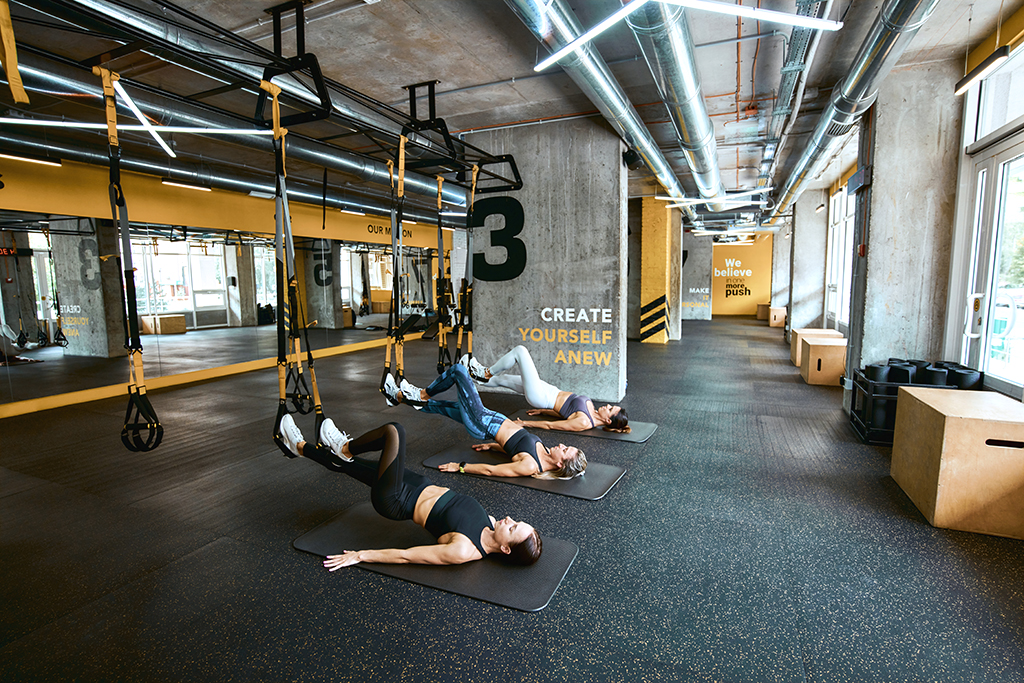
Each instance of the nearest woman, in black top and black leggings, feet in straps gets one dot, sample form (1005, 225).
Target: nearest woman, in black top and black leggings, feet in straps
(463, 529)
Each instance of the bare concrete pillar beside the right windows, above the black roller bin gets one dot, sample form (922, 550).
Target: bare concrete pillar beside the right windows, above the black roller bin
(914, 188)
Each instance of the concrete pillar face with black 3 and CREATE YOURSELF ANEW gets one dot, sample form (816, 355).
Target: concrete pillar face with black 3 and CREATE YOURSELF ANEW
(575, 234)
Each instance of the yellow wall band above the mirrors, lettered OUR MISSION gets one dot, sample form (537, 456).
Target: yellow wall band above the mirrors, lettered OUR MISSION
(80, 190)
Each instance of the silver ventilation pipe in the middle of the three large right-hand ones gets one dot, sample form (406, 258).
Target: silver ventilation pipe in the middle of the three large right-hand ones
(665, 40)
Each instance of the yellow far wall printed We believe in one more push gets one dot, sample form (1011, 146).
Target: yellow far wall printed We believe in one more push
(742, 277)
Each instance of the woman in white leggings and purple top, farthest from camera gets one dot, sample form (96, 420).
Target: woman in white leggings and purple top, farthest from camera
(578, 413)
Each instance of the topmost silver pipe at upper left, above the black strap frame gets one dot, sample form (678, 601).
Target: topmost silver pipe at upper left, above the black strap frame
(237, 63)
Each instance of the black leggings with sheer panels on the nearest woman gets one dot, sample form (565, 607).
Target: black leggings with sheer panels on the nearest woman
(393, 491)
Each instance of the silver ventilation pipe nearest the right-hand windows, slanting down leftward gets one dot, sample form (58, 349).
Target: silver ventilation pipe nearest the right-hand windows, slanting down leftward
(898, 24)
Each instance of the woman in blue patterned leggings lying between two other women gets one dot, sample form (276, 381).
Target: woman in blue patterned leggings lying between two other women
(530, 456)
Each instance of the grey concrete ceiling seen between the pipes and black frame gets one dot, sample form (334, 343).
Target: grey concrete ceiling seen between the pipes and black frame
(483, 58)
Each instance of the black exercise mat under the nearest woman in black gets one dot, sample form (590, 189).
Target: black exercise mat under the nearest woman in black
(526, 588)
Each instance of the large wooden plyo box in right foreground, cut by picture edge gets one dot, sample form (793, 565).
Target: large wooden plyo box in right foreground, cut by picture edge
(960, 457)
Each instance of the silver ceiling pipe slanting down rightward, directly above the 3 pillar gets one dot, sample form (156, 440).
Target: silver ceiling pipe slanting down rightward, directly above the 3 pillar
(557, 26)
